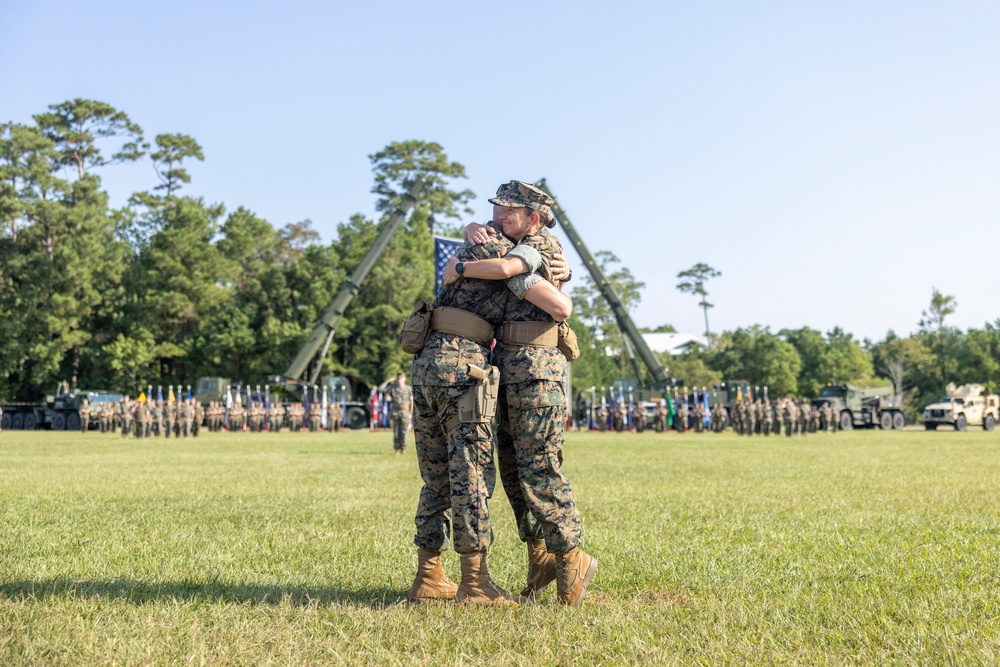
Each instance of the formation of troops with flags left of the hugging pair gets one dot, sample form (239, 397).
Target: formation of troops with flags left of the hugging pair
(184, 418)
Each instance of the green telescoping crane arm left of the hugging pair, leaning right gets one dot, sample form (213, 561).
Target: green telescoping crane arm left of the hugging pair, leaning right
(322, 334)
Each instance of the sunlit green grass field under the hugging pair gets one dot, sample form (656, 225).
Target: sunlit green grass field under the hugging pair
(856, 548)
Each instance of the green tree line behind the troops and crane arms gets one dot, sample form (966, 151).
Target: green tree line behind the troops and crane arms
(171, 287)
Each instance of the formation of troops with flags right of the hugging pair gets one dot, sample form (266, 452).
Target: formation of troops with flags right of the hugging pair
(758, 417)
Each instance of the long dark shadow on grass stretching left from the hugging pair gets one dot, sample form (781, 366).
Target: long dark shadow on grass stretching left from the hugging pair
(142, 592)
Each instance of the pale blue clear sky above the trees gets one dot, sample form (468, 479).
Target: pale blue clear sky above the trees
(836, 161)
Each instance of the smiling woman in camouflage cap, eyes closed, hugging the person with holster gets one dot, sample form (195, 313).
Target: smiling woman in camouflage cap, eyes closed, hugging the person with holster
(532, 409)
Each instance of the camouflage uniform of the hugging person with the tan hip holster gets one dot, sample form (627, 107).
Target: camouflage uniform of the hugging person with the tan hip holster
(456, 464)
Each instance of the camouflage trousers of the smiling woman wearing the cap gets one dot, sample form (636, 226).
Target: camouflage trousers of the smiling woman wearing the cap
(532, 421)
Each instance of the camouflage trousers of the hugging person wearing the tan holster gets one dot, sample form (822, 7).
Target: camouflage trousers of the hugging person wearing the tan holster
(458, 473)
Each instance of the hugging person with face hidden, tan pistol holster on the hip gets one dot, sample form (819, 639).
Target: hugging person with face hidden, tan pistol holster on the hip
(454, 394)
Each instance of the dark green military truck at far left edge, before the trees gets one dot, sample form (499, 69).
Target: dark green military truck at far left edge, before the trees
(59, 411)
